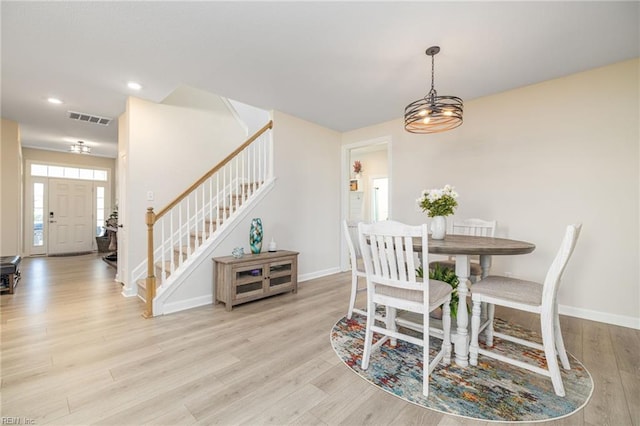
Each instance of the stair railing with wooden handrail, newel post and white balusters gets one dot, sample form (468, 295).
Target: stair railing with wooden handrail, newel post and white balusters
(191, 218)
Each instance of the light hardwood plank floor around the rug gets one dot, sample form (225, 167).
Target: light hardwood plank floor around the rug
(75, 352)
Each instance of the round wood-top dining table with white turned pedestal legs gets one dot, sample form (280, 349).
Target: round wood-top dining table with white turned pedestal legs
(463, 247)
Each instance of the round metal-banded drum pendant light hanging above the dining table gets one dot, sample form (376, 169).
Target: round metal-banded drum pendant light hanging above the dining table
(433, 113)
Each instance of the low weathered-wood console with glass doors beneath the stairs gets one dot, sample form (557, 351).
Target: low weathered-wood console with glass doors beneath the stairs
(254, 276)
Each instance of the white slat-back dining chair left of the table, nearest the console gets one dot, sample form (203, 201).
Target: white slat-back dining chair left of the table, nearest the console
(392, 282)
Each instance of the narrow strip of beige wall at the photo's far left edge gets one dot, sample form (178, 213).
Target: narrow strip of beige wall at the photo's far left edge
(10, 190)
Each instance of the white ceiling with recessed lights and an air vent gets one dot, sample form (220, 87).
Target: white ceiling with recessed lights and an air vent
(342, 65)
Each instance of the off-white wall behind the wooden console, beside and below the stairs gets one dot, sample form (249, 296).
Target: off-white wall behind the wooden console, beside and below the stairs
(302, 211)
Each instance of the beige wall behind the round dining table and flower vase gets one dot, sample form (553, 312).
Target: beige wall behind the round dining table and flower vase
(536, 159)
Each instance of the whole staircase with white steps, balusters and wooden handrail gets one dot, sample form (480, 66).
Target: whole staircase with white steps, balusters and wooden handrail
(184, 233)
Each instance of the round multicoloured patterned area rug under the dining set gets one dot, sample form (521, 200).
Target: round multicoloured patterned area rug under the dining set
(491, 391)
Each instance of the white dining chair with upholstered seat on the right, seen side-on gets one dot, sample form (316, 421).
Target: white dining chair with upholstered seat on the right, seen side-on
(530, 297)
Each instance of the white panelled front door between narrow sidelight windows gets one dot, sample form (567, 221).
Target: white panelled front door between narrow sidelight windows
(70, 216)
